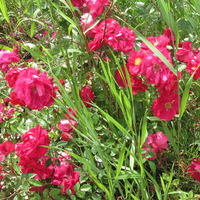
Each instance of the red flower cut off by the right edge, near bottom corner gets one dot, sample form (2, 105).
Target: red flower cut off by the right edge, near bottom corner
(194, 169)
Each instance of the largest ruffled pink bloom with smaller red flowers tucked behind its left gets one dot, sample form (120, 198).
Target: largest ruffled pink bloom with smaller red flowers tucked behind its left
(30, 87)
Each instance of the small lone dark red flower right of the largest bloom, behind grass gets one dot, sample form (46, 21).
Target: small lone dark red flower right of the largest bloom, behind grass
(87, 96)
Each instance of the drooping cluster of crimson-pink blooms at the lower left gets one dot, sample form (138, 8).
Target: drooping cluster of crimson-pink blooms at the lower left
(32, 153)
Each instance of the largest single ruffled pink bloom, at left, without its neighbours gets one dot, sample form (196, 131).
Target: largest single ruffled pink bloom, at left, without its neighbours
(35, 89)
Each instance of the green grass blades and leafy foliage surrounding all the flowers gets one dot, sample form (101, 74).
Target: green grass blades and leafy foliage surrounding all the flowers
(107, 144)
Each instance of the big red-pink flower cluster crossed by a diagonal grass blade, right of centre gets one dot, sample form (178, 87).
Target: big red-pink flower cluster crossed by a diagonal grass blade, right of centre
(145, 63)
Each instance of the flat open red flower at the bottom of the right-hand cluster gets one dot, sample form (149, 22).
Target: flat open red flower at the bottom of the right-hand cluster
(166, 106)
